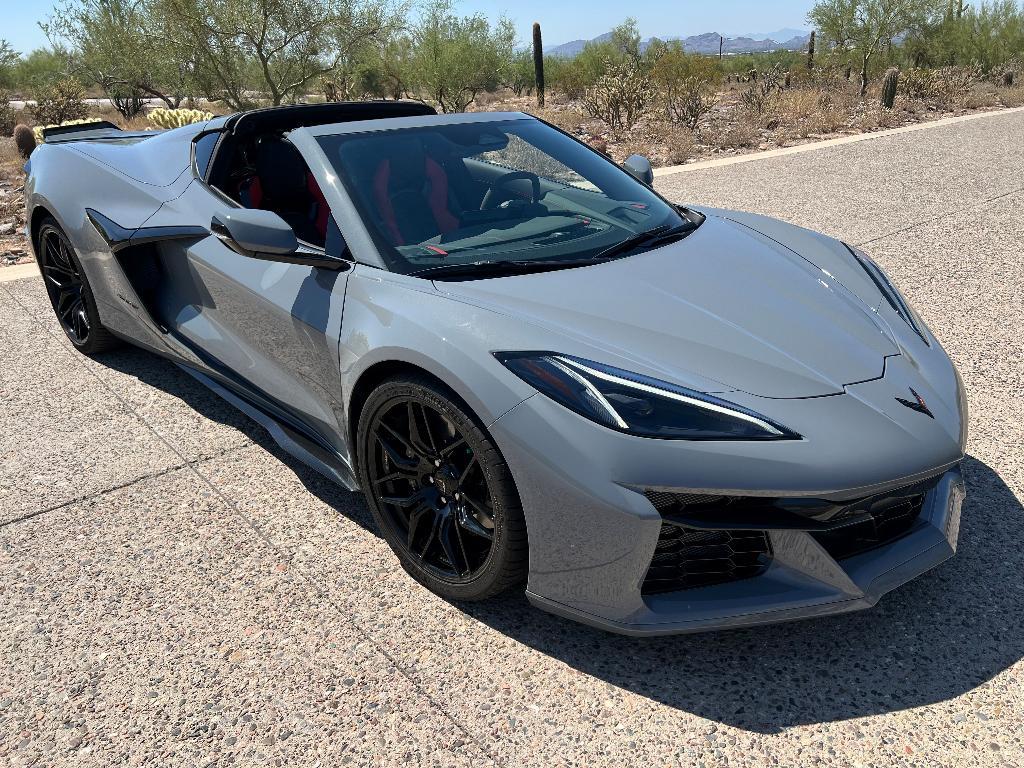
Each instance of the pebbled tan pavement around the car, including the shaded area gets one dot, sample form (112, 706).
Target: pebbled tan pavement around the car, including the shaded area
(176, 590)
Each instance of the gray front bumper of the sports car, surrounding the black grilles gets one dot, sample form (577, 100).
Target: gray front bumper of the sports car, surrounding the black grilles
(593, 533)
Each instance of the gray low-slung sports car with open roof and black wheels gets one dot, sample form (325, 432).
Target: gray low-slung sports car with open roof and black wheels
(661, 418)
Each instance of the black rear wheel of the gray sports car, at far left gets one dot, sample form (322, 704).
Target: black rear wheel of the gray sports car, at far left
(69, 291)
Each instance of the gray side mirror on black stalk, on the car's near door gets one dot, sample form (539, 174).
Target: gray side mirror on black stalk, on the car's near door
(264, 235)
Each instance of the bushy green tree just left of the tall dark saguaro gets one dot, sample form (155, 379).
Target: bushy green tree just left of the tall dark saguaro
(454, 59)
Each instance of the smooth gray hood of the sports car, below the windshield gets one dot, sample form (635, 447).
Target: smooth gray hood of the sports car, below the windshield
(727, 305)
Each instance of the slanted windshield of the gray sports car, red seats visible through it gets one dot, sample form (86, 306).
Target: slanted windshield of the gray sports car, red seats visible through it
(486, 195)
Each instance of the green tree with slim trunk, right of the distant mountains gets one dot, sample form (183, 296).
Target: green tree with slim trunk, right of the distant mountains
(865, 27)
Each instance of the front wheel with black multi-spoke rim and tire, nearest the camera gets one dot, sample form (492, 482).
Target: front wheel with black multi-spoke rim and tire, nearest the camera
(441, 491)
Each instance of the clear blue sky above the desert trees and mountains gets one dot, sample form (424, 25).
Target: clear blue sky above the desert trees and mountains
(562, 20)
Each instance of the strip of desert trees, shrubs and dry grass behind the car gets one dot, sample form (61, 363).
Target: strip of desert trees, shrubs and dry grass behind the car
(871, 65)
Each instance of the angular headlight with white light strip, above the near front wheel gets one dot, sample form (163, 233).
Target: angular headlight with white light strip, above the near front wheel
(637, 405)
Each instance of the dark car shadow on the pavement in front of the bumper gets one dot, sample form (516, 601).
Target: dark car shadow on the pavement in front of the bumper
(934, 639)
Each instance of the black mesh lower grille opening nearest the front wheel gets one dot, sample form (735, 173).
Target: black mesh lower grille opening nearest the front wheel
(689, 559)
